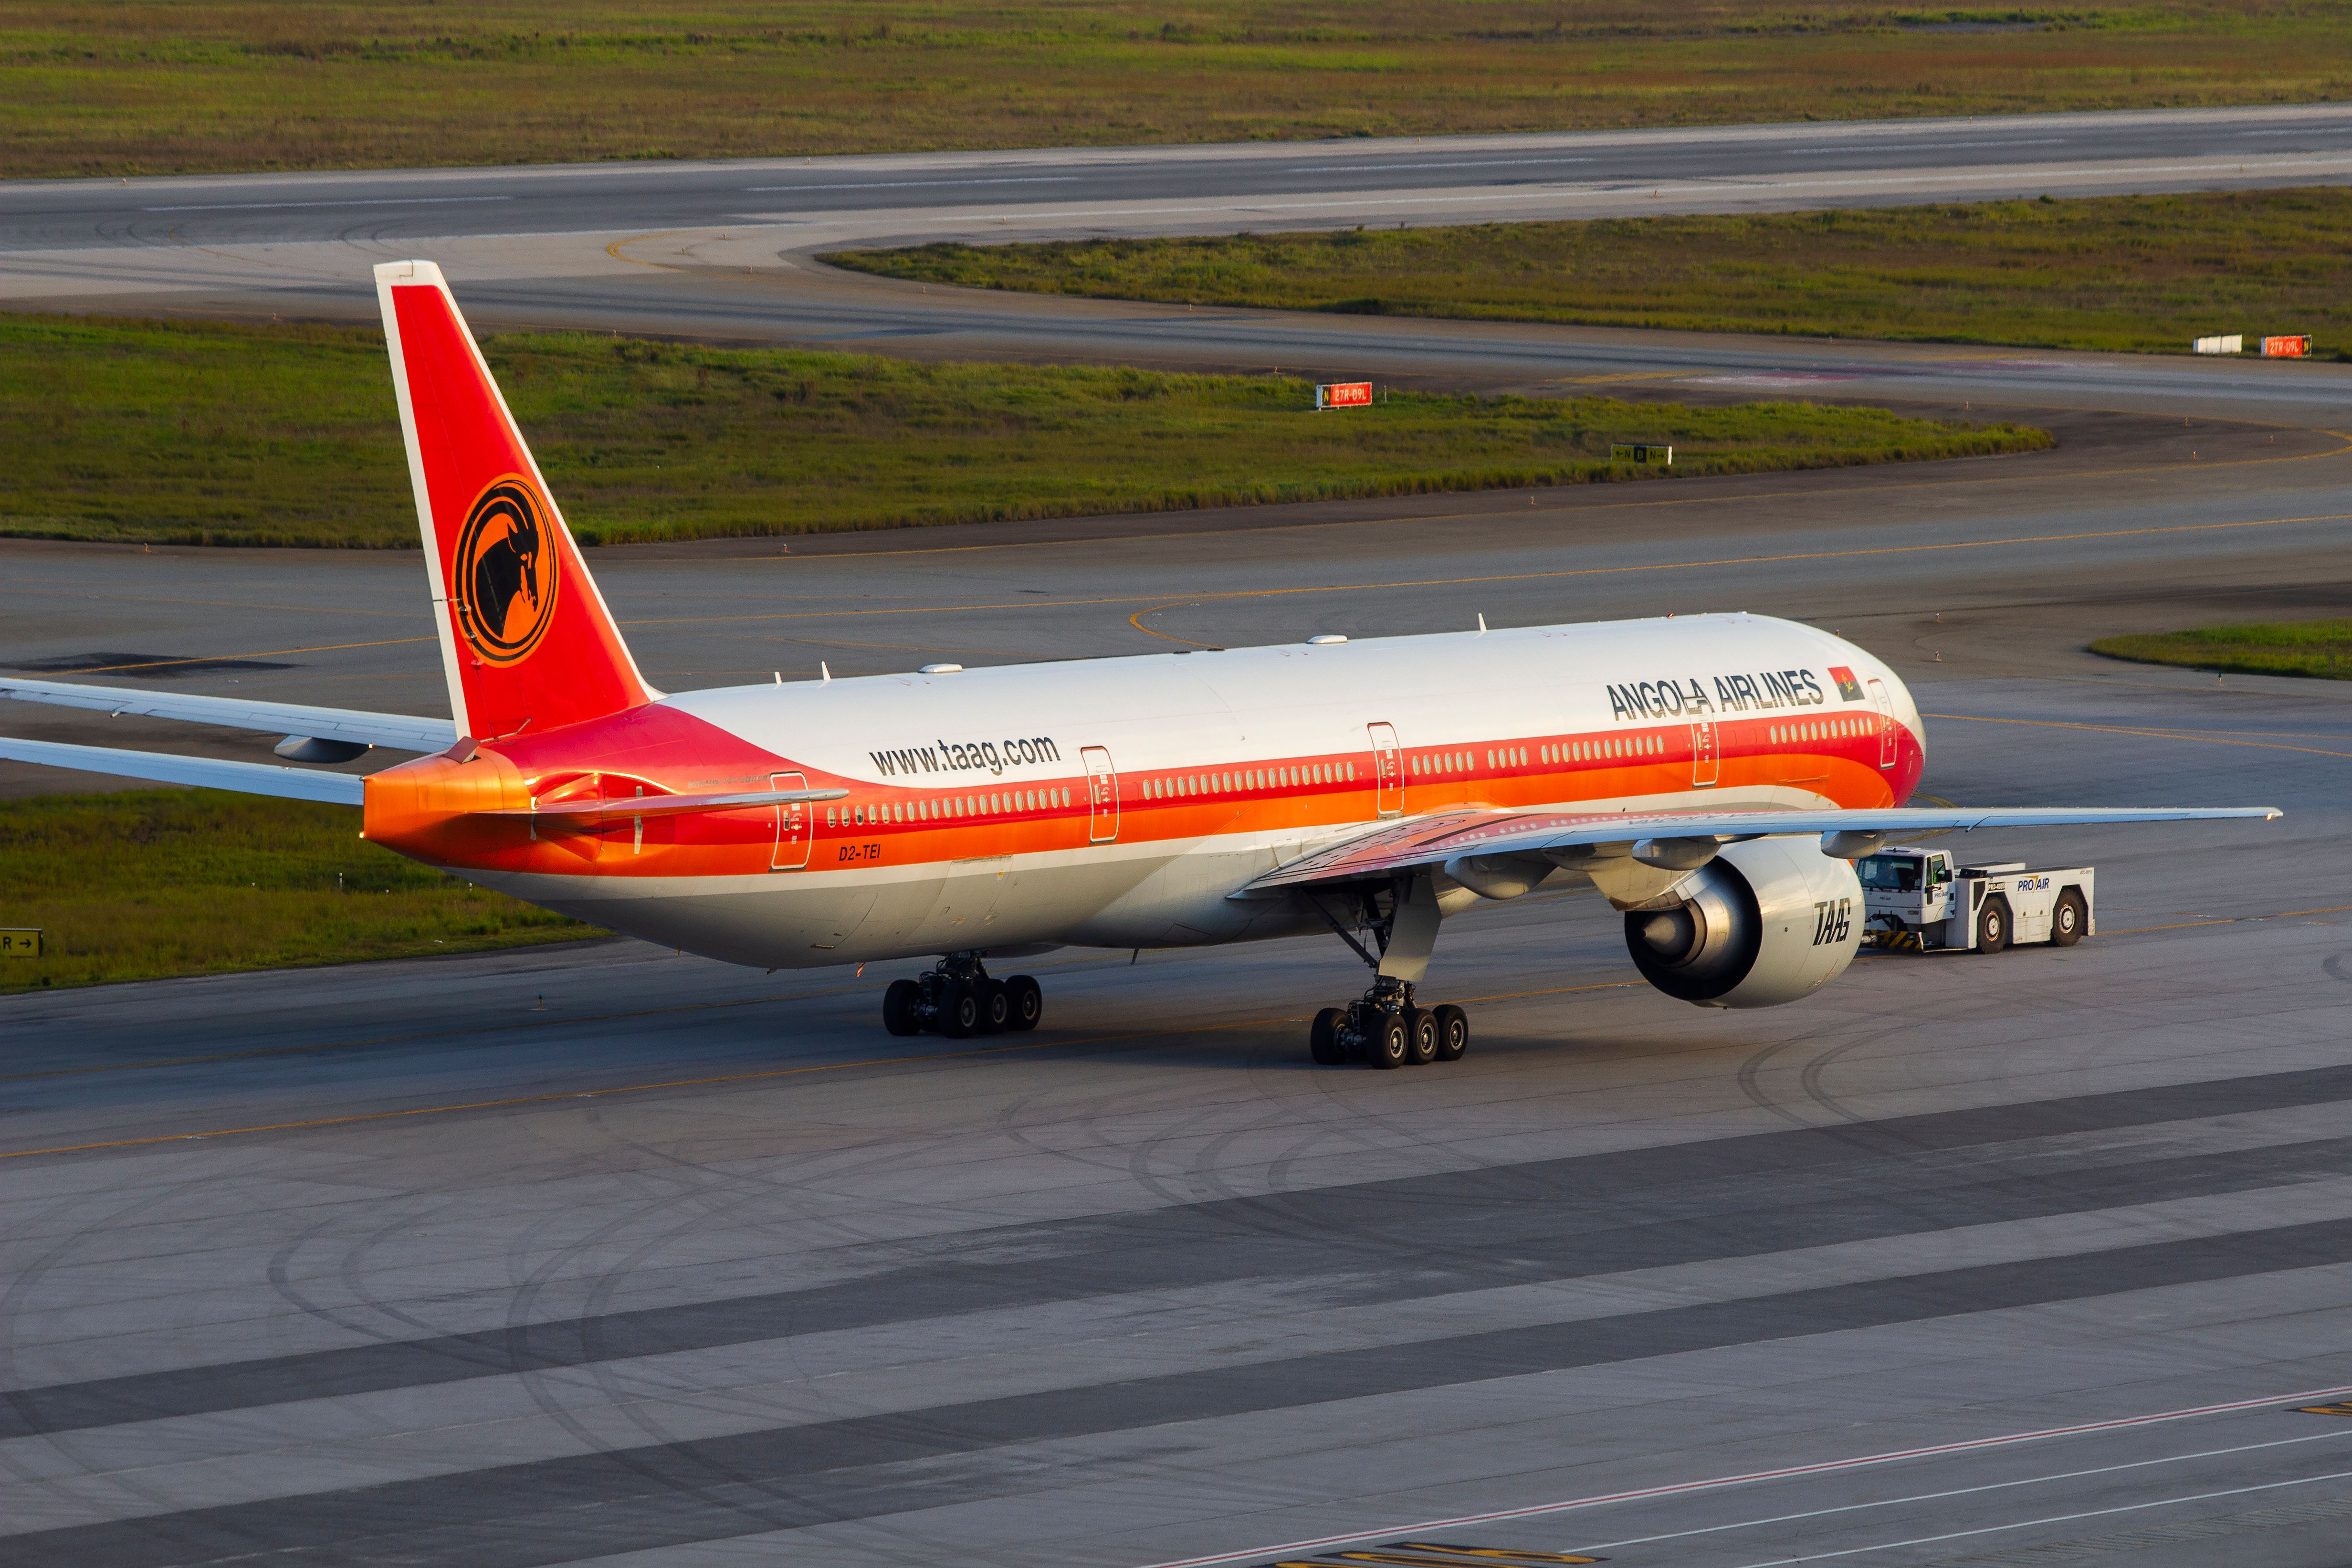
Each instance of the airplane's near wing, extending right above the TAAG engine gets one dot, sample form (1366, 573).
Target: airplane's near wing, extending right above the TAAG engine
(1434, 840)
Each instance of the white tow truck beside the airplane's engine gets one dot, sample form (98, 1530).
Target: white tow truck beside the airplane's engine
(1923, 902)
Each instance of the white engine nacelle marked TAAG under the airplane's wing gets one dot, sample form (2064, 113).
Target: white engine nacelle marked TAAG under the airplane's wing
(1763, 923)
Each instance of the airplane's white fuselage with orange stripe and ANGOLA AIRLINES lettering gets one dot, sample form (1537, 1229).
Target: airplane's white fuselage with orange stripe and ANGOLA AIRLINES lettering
(968, 819)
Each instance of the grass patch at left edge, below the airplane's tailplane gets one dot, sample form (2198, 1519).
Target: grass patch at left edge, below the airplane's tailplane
(178, 883)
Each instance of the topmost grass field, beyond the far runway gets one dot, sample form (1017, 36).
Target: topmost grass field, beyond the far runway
(185, 86)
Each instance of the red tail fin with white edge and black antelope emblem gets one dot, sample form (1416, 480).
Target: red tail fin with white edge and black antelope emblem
(526, 636)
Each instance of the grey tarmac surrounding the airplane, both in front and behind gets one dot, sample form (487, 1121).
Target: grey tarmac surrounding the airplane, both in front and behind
(603, 1254)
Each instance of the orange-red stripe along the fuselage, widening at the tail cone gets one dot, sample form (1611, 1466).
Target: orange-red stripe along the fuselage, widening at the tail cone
(427, 808)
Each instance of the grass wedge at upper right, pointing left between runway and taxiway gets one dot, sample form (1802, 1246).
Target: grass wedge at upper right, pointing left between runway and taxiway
(2130, 272)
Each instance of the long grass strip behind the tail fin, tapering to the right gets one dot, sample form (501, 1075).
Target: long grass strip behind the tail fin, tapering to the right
(286, 436)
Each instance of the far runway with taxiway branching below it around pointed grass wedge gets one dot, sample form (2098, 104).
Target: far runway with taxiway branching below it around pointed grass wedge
(723, 250)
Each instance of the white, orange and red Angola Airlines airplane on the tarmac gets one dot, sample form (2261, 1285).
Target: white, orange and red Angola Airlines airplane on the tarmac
(1713, 777)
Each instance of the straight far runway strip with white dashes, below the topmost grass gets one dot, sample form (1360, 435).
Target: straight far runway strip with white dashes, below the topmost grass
(2233, 147)
